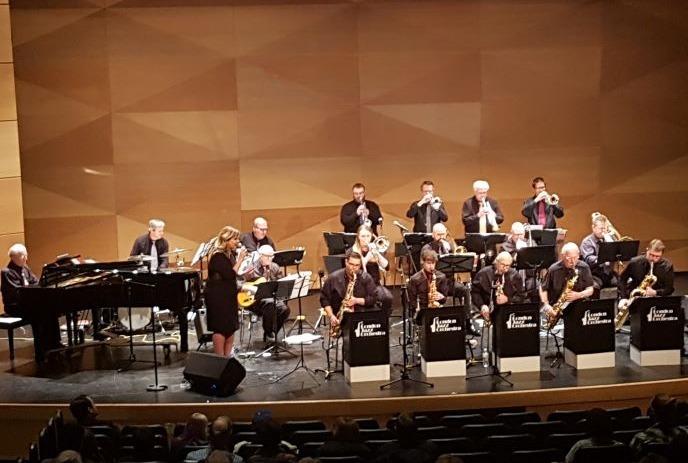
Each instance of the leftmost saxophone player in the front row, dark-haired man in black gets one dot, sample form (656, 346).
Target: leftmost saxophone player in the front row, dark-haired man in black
(332, 295)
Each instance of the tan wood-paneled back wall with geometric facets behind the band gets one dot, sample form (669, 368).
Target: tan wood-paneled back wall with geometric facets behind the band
(211, 112)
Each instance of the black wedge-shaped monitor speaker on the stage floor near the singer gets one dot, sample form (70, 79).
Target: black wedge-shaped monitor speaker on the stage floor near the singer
(212, 374)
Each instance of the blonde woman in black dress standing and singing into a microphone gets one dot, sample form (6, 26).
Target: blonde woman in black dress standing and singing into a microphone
(221, 290)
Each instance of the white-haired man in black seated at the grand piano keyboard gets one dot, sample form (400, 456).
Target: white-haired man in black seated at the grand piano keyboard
(46, 330)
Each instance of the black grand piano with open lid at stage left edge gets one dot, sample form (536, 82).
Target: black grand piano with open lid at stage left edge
(68, 286)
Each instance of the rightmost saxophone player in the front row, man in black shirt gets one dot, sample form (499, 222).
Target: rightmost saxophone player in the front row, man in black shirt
(640, 266)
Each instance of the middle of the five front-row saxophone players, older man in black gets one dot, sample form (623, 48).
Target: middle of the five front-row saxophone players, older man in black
(498, 283)
